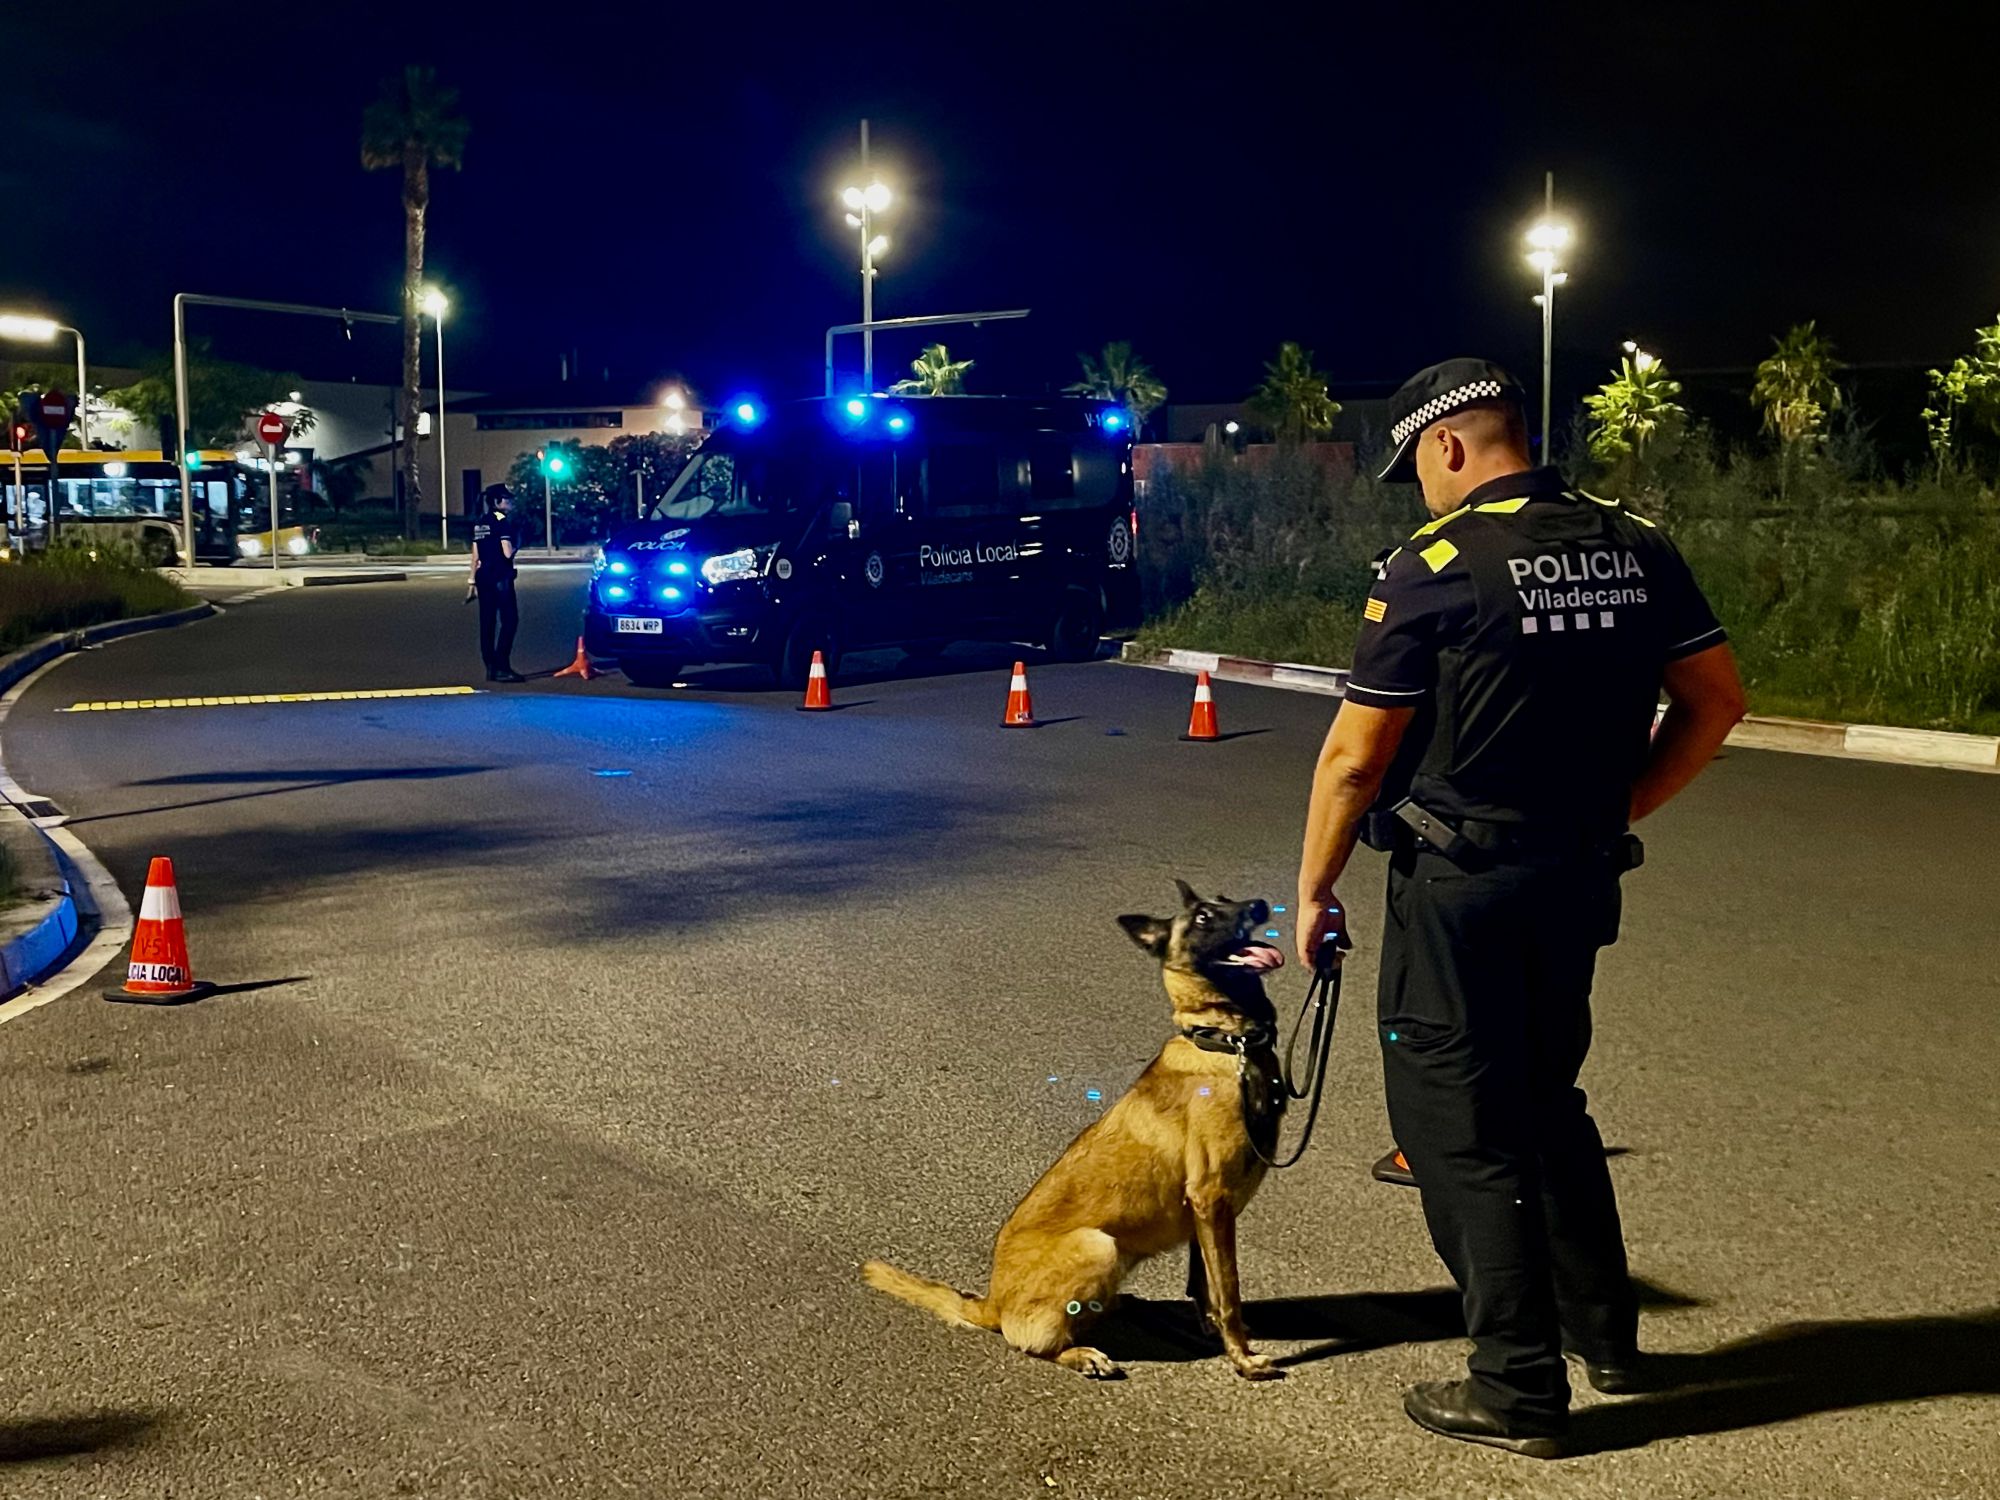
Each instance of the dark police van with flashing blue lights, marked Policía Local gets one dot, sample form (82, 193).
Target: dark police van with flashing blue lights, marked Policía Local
(877, 521)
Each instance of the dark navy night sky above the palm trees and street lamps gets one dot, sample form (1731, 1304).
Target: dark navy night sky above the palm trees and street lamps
(657, 185)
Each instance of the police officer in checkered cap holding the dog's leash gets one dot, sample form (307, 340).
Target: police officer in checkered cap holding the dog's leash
(1495, 739)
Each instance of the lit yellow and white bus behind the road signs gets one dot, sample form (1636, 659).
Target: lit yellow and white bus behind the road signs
(135, 497)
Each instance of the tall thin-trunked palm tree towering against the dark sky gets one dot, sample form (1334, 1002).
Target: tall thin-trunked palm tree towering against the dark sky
(413, 125)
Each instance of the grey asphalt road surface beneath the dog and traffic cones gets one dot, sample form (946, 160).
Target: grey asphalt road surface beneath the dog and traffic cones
(605, 1033)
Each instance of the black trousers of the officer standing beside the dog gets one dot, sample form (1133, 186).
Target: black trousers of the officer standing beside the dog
(1485, 1017)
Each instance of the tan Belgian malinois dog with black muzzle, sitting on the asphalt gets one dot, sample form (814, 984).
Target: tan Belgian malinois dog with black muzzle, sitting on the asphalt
(1169, 1163)
